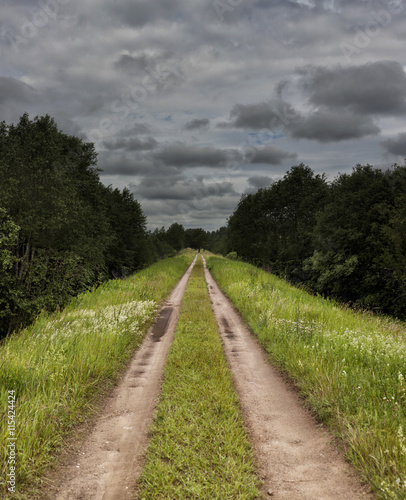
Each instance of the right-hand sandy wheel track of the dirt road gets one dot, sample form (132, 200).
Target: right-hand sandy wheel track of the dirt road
(296, 457)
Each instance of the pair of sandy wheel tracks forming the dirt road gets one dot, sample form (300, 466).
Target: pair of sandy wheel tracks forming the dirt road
(294, 455)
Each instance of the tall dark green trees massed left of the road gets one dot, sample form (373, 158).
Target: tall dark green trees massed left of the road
(61, 230)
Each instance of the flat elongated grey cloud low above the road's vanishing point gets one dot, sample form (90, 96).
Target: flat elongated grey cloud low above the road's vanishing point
(187, 155)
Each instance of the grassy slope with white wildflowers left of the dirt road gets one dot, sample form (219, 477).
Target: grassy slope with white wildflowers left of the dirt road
(57, 364)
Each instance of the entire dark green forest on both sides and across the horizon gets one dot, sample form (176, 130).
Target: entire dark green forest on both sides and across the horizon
(63, 232)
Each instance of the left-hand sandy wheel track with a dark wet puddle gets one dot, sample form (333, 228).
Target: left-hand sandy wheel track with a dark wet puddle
(111, 458)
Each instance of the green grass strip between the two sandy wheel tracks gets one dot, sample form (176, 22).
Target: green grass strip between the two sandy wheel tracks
(198, 448)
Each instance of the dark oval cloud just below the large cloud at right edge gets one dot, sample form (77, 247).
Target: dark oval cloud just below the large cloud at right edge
(327, 126)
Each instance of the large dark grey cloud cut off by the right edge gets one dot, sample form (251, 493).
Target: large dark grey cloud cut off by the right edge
(373, 88)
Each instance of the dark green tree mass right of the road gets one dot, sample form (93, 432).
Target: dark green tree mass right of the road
(345, 238)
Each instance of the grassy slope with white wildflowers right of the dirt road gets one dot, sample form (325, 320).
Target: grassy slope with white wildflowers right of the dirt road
(350, 366)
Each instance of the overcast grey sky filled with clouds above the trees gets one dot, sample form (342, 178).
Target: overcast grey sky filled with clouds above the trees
(192, 103)
